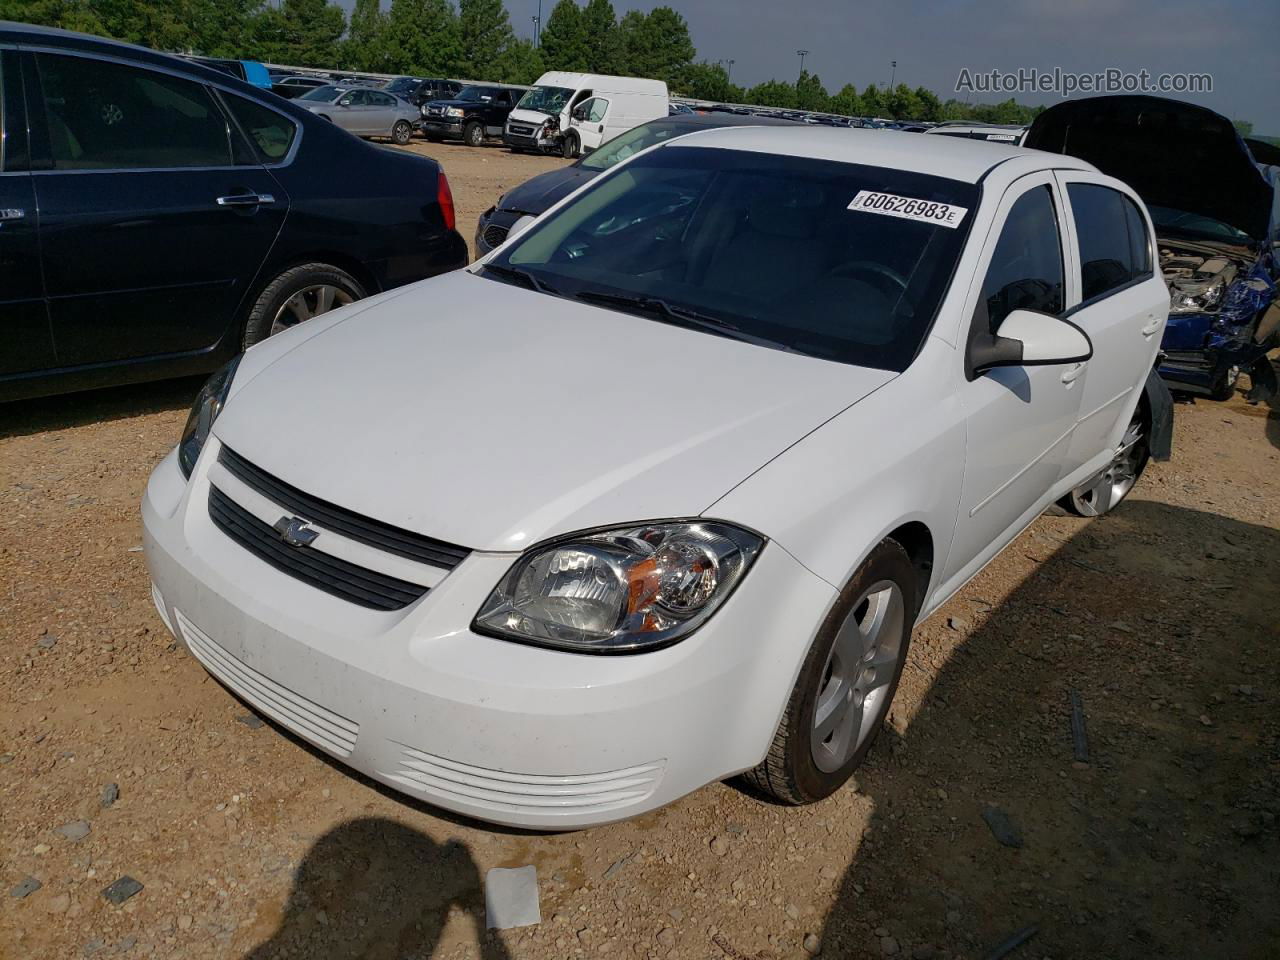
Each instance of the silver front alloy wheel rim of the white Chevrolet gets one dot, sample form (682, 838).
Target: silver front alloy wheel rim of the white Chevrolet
(856, 685)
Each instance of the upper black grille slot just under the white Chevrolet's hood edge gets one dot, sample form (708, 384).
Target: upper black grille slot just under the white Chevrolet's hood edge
(354, 527)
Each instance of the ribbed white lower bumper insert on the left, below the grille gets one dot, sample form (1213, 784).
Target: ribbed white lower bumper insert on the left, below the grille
(309, 720)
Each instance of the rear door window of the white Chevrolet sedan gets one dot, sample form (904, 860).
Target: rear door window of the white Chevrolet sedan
(1113, 236)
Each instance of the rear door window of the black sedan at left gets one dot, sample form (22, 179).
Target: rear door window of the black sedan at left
(107, 116)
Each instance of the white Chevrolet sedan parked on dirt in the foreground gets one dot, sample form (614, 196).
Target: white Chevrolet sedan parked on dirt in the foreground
(655, 495)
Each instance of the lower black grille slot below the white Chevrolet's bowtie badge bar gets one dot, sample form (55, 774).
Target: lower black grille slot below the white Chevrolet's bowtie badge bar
(321, 570)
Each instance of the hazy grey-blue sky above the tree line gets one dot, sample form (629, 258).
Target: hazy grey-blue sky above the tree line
(1235, 42)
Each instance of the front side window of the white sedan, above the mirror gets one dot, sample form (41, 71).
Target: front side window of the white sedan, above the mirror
(1026, 271)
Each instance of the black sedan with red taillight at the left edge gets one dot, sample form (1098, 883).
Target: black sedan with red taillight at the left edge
(158, 217)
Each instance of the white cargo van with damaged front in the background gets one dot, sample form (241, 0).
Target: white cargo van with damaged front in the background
(574, 113)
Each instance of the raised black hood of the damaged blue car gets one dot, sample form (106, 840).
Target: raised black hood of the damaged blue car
(1172, 153)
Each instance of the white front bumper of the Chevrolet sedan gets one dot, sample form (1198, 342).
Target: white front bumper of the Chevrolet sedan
(488, 729)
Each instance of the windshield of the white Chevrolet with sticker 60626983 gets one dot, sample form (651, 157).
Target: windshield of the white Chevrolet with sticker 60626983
(760, 248)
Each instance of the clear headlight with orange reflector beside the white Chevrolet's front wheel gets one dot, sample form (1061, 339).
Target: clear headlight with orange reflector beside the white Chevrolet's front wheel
(623, 591)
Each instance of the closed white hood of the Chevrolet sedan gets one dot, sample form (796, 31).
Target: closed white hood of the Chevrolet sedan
(492, 417)
